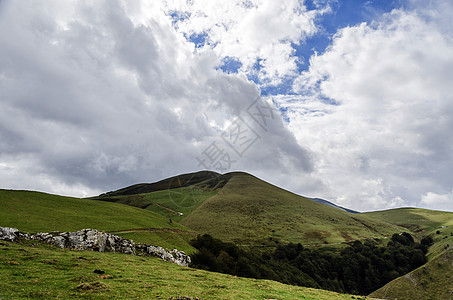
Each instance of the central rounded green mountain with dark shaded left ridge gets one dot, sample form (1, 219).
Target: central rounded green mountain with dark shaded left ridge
(244, 209)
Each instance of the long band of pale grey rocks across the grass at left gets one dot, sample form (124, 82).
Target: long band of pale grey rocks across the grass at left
(94, 240)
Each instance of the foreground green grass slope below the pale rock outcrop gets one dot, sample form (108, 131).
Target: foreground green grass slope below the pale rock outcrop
(47, 272)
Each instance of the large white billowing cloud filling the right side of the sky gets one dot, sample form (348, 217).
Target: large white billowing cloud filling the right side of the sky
(376, 108)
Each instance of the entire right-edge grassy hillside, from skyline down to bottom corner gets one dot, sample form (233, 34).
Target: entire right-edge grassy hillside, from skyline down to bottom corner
(434, 279)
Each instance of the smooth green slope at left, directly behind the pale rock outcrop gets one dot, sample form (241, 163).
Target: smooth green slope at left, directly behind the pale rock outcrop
(35, 212)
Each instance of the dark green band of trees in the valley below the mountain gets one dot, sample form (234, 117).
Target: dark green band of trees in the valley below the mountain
(360, 268)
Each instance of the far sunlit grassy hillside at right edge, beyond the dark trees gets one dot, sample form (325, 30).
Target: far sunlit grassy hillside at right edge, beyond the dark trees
(422, 222)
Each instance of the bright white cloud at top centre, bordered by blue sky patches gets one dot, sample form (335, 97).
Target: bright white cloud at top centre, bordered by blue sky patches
(250, 31)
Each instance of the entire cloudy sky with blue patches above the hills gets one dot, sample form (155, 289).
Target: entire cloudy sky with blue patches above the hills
(346, 100)
